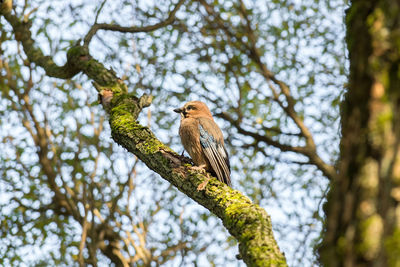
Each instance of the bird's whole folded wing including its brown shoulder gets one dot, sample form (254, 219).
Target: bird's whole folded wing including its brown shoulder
(211, 141)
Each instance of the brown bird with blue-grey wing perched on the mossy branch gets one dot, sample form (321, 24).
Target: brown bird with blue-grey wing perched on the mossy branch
(202, 139)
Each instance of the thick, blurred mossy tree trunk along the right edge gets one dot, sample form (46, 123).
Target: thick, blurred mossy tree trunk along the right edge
(363, 208)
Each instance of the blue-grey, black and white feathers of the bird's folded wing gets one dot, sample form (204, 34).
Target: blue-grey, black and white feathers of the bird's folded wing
(216, 155)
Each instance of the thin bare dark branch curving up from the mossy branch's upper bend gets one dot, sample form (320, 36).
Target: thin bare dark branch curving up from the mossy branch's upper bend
(119, 28)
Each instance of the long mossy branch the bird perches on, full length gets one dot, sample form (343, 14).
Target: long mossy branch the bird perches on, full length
(247, 222)
